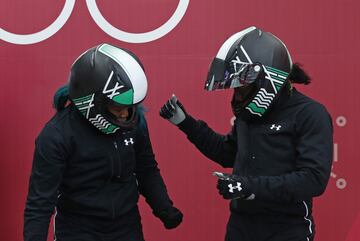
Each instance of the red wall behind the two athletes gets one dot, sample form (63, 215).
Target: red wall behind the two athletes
(323, 35)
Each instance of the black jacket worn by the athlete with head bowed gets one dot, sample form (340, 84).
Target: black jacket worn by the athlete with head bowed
(82, 171)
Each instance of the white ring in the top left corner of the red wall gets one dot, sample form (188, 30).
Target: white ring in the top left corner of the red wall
(43, 34)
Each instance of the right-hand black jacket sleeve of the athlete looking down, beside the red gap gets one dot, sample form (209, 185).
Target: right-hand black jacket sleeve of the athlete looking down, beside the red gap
(150, 182)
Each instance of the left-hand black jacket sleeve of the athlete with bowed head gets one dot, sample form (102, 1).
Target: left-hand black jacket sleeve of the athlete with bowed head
(46, 175)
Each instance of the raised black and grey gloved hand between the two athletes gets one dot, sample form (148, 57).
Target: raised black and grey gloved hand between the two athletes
(173, 111)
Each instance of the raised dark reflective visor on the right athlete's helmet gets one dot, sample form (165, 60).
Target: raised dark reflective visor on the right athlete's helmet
(225, 75)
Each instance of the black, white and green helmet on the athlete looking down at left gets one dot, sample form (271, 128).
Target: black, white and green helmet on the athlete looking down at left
(105, 76)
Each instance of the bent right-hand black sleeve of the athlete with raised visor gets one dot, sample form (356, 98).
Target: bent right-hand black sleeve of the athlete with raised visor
(314, 145)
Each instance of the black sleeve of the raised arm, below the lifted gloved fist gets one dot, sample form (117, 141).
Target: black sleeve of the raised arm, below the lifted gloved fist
(218, 148)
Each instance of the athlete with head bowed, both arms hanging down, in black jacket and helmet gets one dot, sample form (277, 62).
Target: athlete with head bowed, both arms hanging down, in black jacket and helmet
(94, 157)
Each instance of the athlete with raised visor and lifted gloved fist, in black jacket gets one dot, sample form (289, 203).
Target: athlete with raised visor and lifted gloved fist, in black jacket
(280, 147)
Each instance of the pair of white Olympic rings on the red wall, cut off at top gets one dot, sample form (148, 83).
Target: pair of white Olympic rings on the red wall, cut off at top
(101, 22)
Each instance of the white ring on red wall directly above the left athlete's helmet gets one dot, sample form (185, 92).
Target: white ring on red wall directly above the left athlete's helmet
(116, 33)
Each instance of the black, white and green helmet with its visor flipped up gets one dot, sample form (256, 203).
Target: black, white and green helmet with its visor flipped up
(255, 60)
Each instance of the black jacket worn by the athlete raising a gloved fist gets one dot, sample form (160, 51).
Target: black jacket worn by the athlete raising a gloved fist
(286, 155)
